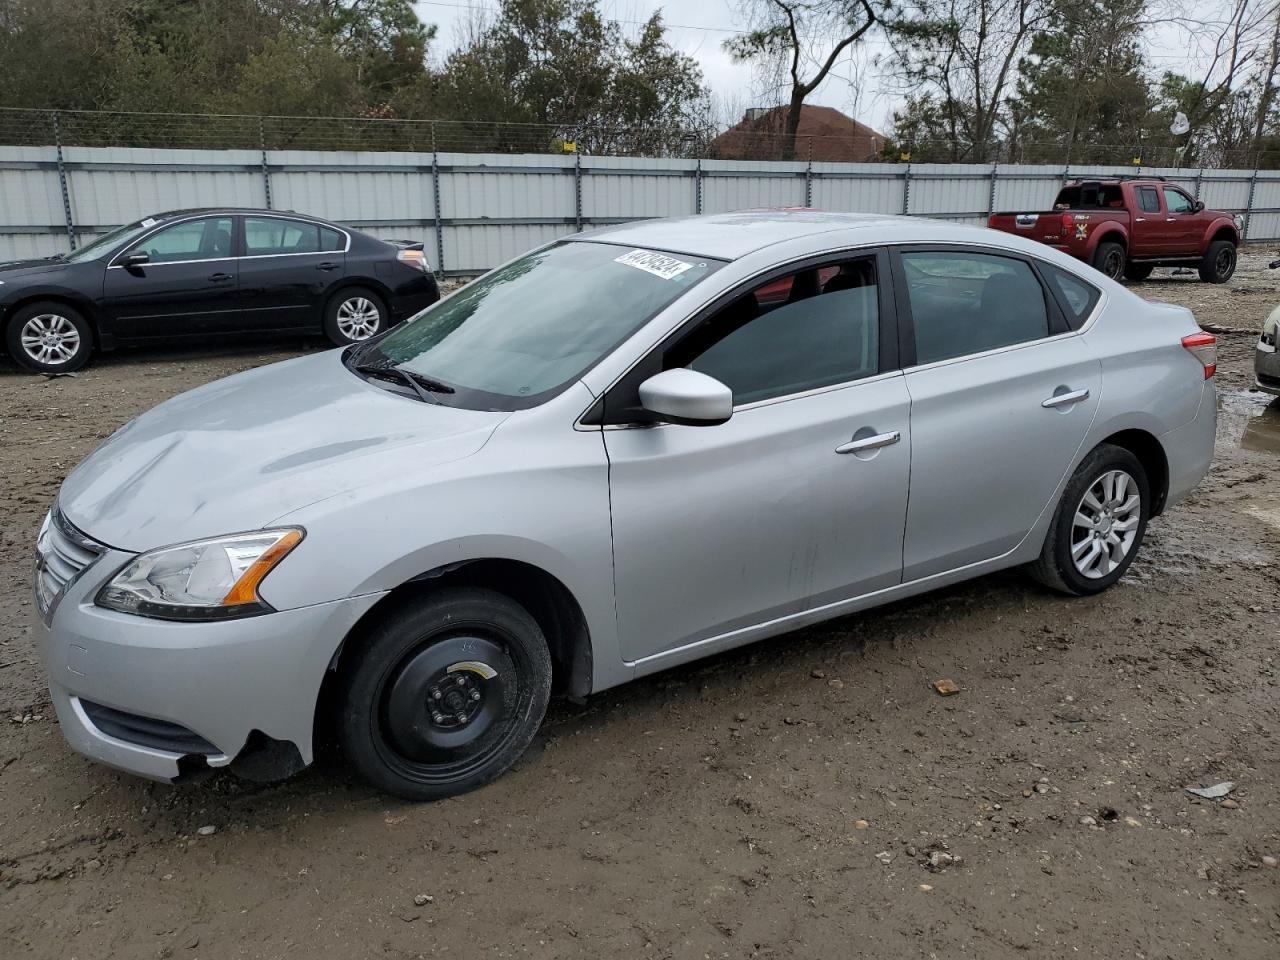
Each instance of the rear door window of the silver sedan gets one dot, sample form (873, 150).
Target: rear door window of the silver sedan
(971, 303)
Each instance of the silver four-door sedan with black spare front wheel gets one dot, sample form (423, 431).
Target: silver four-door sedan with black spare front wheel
(615, 455)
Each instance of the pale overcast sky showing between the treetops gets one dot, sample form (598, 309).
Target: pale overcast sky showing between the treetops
(857, 86)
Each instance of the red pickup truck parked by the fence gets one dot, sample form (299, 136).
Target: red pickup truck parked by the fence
(1128, 226)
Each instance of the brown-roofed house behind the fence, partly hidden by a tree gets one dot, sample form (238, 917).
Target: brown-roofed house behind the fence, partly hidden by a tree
(831, 135)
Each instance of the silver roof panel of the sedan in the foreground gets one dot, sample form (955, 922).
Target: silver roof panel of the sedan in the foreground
(733, 236)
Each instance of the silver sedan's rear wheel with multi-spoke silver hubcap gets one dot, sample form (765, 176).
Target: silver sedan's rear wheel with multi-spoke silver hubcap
(1057, 568)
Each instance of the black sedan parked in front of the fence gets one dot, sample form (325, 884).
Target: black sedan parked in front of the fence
(209, 273)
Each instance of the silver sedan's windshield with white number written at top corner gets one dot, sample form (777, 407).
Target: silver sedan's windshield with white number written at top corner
(518, 335)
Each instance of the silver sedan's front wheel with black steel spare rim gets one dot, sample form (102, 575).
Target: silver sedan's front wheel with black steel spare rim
(418, 724)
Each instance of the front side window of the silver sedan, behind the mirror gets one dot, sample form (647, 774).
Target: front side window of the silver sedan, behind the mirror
(815, 328)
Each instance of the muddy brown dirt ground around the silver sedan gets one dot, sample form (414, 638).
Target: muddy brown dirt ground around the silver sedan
(779, 802)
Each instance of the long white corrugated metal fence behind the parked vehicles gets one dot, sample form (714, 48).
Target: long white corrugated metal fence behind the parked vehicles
(476, 211)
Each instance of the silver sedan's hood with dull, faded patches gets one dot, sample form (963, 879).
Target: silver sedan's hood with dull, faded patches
(241, 452)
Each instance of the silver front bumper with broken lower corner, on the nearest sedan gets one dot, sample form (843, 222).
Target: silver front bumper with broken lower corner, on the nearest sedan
(221, 682)
